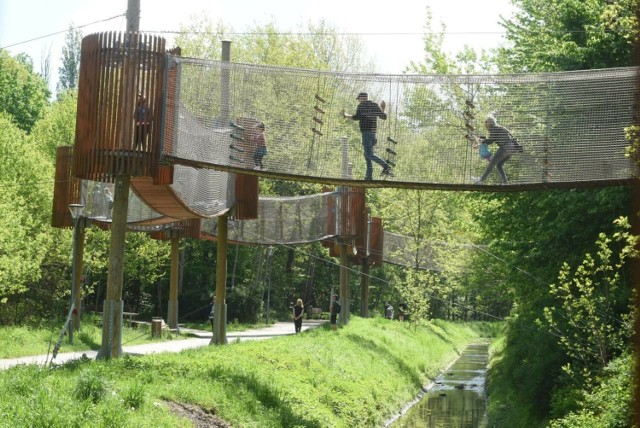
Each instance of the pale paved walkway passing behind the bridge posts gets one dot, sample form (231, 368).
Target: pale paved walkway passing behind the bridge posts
(202, 338)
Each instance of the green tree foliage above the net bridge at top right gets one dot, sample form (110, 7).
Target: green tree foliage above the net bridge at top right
(567, 35)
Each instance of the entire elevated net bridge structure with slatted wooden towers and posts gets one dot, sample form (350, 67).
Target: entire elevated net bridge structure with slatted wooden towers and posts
(182, 135)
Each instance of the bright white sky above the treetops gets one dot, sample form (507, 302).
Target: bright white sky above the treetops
(470, 22)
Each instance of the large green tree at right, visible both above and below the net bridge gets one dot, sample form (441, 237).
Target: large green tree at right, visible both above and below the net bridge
(534, 233)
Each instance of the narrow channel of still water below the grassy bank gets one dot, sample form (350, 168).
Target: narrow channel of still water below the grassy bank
(457, 398)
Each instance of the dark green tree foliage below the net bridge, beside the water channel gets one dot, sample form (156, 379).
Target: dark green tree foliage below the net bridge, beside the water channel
(532, 234)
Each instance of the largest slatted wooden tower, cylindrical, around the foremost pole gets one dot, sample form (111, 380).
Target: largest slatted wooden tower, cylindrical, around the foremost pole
(114, 68)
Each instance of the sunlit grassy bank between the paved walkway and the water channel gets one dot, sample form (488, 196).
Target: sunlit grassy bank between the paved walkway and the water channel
(358, 376)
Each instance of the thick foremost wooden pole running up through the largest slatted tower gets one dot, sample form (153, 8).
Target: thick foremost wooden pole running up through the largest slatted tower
(113, 306)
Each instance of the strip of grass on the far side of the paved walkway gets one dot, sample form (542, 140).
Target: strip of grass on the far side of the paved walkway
(25, 341)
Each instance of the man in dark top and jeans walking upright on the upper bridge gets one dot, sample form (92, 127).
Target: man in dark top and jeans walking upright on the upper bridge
(367, 115)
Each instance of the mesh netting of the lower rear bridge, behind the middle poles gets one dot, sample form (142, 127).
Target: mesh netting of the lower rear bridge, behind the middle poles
(291, 220)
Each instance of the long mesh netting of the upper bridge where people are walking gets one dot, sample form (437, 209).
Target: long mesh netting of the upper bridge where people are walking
(571, 124)
